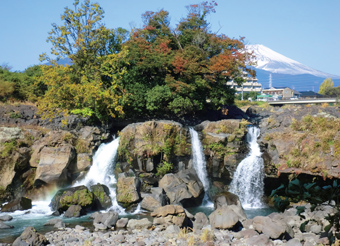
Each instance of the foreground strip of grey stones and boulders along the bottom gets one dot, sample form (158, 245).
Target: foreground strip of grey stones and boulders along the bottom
(224, 228)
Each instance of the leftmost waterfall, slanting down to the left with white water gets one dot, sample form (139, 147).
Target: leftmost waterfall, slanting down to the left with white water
(101, 171)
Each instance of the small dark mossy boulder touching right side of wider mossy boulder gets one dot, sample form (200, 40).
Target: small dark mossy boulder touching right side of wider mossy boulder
(102, 198)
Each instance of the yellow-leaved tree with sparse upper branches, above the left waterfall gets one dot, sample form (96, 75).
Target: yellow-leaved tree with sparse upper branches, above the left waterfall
(91, 85)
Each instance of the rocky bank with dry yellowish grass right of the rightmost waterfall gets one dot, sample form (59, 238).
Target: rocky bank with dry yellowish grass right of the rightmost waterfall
(300, 140)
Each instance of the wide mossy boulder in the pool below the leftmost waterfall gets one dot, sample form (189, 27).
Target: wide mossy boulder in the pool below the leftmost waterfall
(79, 195)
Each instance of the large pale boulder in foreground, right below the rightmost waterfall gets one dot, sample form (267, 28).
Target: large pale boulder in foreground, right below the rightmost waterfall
(274, 229)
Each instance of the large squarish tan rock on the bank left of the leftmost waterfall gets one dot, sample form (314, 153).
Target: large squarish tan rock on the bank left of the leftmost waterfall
(53, 165)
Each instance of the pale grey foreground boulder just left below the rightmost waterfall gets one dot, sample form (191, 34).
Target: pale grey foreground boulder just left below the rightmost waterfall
(225, 218)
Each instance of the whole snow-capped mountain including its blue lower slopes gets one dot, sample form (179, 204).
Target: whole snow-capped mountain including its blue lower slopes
(285, 71)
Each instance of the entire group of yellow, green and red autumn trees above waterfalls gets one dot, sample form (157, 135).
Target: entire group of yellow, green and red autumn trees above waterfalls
(156, 70)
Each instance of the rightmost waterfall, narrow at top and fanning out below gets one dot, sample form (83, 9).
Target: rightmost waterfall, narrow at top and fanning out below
(248, 178)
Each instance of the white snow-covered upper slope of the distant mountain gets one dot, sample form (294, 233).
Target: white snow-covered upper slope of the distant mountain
(274, 62)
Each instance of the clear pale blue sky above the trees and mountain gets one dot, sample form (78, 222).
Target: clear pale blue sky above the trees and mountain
(307, 31)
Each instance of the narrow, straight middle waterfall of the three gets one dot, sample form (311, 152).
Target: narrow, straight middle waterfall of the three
(199, 163)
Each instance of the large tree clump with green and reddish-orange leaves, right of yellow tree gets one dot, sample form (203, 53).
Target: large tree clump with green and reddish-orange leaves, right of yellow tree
(182, 70)
